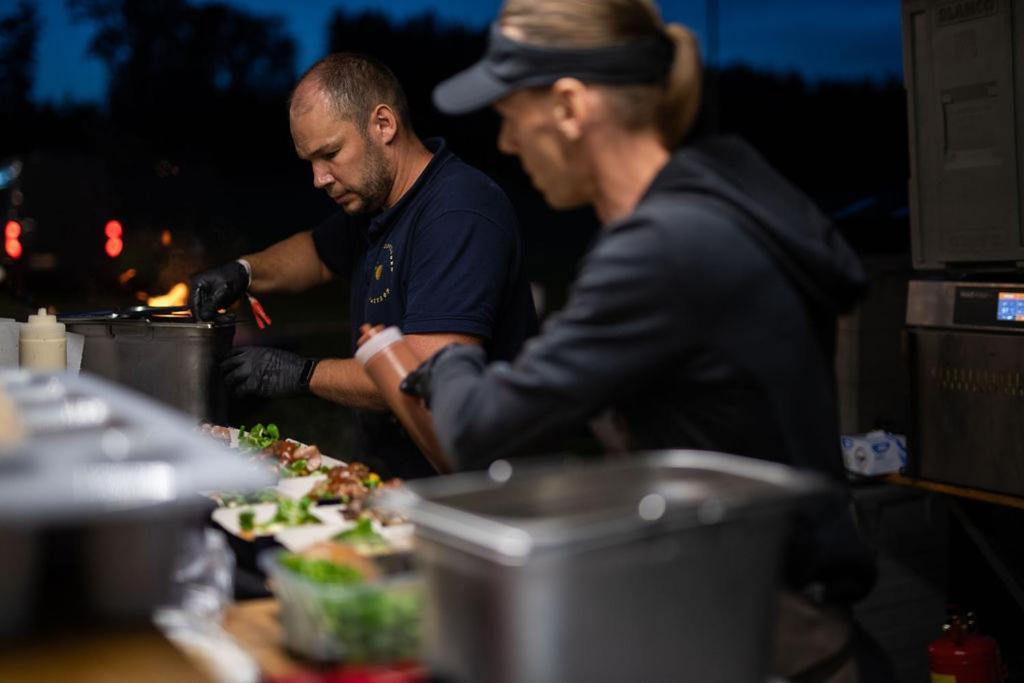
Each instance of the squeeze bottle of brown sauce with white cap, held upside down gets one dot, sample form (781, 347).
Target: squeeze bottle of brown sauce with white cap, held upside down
(388, 359)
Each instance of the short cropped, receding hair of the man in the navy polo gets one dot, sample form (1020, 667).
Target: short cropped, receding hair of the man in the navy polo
(356, 84)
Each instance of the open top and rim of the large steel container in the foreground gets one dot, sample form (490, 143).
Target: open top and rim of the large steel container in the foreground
(513, 514)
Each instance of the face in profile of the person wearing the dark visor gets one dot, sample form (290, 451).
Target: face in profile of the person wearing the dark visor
(530, 132)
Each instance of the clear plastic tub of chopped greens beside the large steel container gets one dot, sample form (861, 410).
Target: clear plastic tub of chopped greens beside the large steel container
(377, 621)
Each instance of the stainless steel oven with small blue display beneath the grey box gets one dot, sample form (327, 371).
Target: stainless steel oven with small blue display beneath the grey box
(967, 378)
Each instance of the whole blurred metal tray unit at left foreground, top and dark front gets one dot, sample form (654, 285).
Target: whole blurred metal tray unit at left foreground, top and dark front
(92, 513)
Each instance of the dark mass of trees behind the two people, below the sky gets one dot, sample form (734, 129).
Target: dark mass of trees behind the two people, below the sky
(194, 135)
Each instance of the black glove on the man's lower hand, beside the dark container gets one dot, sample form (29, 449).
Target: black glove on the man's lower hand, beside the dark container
(271, 373)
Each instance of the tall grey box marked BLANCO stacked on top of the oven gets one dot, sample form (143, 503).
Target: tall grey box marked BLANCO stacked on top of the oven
(966, 154)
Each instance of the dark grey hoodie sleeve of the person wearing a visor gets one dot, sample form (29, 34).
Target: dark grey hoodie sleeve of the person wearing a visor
(624, 320)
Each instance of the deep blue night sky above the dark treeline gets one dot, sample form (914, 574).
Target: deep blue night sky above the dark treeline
(832, 39)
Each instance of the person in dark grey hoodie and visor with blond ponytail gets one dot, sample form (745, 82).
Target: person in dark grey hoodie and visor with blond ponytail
(703, 317)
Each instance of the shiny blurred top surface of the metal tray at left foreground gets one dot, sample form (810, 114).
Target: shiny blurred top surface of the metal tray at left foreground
(94, 450)
